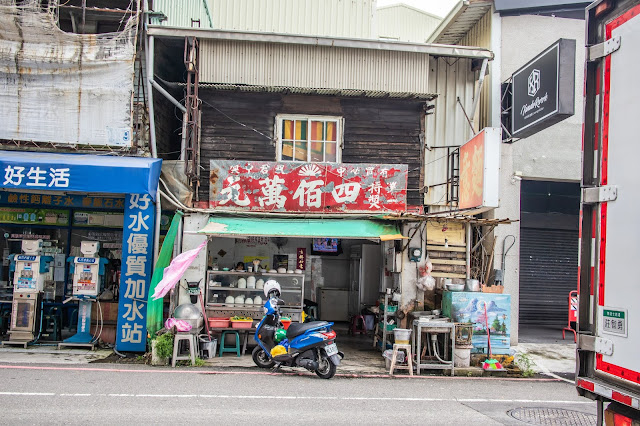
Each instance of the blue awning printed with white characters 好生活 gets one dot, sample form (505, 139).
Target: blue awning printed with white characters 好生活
(79, 172)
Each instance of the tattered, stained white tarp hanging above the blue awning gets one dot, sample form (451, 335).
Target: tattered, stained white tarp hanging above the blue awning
(61, 87)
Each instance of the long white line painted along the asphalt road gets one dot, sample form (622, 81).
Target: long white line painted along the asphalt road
(310, 398)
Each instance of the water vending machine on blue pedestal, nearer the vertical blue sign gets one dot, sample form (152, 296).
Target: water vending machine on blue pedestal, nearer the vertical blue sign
(88, 273)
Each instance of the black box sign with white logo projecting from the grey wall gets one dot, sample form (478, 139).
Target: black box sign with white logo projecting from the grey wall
(543, 91)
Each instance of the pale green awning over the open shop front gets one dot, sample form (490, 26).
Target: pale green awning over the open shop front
(310, 228)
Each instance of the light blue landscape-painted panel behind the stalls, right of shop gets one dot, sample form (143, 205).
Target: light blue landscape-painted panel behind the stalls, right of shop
(468, 307)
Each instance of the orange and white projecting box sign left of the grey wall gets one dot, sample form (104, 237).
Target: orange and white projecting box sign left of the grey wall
(480, 171)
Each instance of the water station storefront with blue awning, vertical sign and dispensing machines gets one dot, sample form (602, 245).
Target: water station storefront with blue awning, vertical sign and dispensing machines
(91, 220)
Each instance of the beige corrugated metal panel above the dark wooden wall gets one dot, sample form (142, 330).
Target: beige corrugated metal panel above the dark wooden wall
(305, 66)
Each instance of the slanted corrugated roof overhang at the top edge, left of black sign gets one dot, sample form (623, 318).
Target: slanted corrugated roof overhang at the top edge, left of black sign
(459, 21)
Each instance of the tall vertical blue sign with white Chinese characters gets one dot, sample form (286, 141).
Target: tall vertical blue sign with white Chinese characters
(135, 277)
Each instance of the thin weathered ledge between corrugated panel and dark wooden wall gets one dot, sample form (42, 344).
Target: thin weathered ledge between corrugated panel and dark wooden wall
(311, 91)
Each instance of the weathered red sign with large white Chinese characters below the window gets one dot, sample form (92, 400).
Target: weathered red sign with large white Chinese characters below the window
(307, 187)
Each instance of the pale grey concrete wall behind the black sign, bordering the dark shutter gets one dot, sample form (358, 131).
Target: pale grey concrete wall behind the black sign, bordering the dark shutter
(552, 154)
